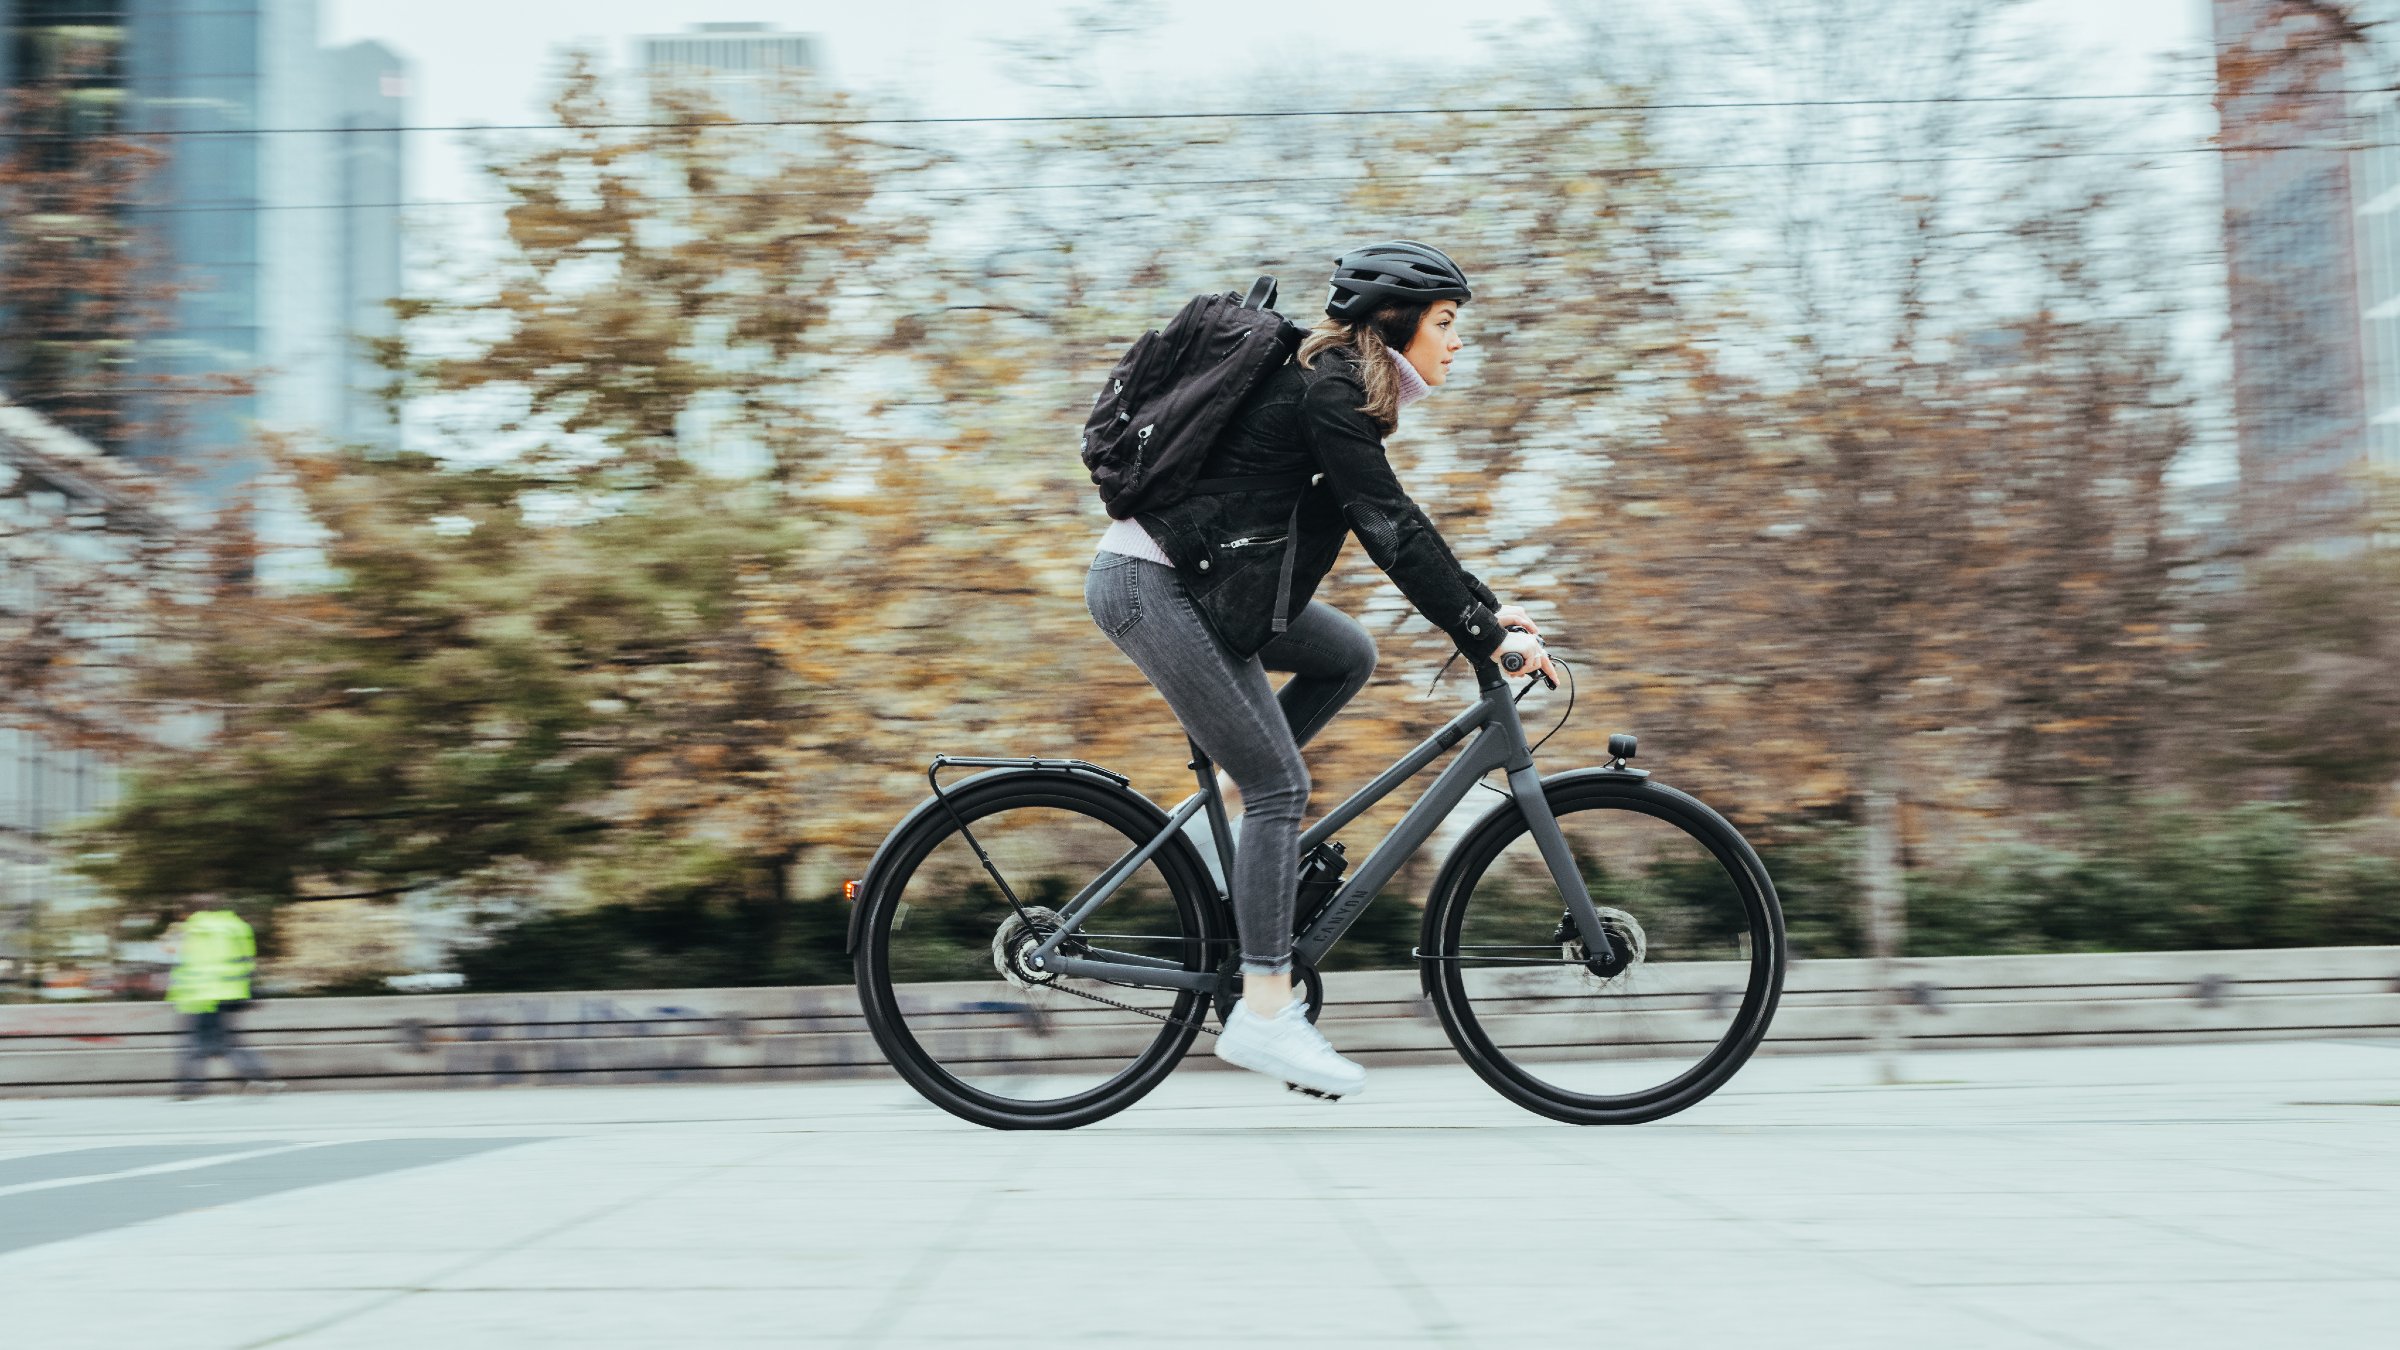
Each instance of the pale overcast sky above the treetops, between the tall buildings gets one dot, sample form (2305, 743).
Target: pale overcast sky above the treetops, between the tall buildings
(496, 61)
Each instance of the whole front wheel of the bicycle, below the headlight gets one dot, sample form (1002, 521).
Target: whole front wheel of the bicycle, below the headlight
(1684, 897)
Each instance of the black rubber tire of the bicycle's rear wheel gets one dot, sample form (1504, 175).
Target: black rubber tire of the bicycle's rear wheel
(1187, 883)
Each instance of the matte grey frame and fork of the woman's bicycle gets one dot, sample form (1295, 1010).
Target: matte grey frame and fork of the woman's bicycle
(1501, 746)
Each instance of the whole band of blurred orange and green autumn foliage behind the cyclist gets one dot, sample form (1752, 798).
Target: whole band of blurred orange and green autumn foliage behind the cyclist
(745, 482)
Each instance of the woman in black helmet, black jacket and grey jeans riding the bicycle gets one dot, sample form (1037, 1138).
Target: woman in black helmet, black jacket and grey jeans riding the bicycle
(1211, 595)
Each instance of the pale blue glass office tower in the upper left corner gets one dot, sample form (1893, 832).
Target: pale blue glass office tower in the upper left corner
(277, 208)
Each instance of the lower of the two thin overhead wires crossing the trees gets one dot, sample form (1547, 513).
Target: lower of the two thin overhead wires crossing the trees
(1307, 179)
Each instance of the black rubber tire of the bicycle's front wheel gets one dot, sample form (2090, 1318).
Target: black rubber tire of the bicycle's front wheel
(1760, 998)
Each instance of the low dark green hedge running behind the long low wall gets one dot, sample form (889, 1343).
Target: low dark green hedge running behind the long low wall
(2149, 878)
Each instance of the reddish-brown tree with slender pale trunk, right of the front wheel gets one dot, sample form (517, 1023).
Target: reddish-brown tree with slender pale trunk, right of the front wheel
(1919, 513)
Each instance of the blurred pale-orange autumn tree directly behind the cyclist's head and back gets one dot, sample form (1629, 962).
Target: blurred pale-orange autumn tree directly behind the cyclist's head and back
(983, 556)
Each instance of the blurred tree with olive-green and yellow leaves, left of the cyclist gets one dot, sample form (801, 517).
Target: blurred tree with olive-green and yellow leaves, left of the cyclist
(541, 650)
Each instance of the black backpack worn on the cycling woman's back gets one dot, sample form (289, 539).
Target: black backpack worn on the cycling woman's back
(1172, 398)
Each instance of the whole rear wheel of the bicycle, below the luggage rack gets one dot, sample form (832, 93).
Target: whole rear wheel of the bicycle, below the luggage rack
(942, 950)
